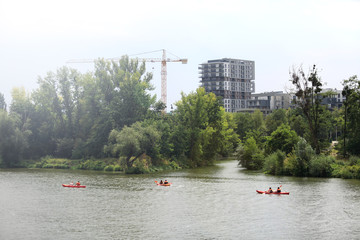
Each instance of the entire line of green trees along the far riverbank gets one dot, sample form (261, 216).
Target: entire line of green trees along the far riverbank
(110, 113)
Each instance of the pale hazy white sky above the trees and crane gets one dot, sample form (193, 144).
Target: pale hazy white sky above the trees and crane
(39, 36)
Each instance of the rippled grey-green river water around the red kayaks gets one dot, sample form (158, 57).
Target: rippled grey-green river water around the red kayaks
(217, 202)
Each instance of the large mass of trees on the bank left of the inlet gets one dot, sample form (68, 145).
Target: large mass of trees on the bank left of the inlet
(111, 113)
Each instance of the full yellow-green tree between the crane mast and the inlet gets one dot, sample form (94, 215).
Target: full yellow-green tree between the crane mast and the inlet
(199, 119)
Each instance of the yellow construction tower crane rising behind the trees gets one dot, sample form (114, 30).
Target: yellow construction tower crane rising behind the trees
(163, 61)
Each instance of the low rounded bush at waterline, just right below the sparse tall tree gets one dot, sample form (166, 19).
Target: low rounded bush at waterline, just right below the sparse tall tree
(320, 166)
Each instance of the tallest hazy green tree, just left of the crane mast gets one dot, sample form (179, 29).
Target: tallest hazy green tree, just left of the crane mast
(117, 95)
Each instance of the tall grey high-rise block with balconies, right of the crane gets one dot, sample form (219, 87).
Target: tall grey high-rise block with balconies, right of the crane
(231, 79)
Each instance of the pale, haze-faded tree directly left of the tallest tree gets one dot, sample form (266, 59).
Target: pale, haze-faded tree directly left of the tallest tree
(56, 118)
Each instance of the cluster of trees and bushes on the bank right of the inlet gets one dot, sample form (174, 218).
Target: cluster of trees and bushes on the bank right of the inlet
(297, 141)
